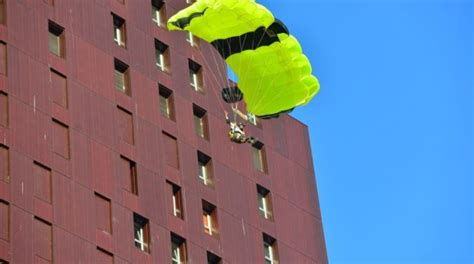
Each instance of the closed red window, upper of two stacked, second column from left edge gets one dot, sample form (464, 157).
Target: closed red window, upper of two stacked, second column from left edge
(43, 182)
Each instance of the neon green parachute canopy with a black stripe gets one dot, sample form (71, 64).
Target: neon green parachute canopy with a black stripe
(272, 71)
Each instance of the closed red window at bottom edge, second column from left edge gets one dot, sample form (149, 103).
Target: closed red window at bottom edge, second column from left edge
(42, 240)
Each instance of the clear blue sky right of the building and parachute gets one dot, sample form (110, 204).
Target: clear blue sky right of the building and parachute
(391, 128)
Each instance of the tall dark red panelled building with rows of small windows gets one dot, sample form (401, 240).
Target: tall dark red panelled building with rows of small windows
(114, 149)
